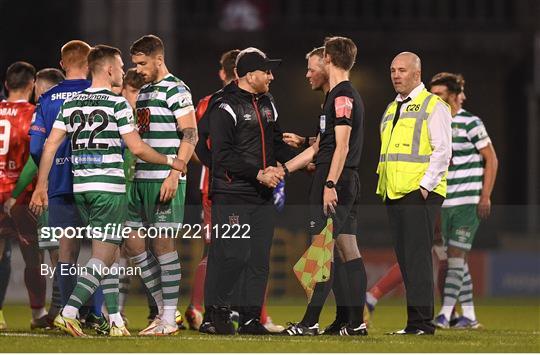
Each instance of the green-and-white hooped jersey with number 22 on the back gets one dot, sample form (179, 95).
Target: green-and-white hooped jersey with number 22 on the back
(94, 121)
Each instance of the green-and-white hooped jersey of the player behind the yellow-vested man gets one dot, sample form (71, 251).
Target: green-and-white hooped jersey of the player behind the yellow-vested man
(466, 171)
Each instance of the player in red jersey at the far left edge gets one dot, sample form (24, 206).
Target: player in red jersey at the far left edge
(15, 119)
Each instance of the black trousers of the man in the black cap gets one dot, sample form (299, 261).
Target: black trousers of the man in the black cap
(232, 257)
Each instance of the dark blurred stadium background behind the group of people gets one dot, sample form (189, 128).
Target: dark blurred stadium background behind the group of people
(491, 42)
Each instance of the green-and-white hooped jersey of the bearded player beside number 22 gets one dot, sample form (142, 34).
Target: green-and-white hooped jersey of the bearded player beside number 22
(158, 106)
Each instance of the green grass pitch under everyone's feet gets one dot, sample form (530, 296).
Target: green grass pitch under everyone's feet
(510, 325)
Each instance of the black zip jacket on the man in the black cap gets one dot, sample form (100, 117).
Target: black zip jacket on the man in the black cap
(245, 138)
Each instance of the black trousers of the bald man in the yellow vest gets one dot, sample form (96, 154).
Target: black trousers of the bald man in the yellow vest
(412, 222)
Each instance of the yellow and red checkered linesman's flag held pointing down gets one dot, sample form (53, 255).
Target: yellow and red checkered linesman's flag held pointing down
(314, 265)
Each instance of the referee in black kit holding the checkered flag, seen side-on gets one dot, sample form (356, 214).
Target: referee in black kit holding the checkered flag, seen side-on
(336, 189)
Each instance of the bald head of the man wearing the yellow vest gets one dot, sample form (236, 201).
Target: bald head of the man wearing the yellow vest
(406, 72)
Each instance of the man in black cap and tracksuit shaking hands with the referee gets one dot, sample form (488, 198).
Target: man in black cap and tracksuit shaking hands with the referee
(246, 142)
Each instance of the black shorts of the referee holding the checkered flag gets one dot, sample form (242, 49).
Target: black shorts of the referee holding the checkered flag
(348, 191)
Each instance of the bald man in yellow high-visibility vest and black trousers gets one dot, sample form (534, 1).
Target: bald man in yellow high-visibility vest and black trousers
(416, 146)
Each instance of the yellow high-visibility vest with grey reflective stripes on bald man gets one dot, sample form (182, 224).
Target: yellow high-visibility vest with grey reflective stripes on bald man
(405, 148)
